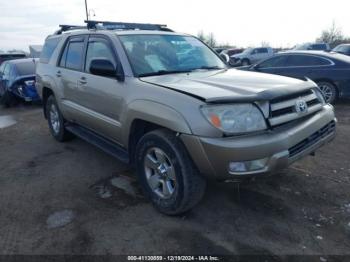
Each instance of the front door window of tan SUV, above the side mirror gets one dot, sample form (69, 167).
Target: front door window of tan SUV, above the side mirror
(98, 49)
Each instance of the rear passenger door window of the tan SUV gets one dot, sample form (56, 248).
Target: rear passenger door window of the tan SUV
(74, 55)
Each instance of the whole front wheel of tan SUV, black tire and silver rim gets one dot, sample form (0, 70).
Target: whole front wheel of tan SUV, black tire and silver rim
(167, 174)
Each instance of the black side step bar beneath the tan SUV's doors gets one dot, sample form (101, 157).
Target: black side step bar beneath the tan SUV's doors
(104, 144)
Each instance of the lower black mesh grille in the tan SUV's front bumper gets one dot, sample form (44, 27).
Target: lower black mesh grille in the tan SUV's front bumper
(313, 139)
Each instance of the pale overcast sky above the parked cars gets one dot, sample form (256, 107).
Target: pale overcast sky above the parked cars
(238, 22)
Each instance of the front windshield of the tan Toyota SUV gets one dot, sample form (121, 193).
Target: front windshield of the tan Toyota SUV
(165, 54)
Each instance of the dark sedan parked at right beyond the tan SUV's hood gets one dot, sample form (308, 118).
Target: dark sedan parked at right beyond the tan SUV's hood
(330, 71)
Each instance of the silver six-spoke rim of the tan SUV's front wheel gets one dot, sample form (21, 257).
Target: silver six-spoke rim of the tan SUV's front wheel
(160, 173)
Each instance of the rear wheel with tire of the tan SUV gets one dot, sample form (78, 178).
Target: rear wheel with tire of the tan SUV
(56, 121)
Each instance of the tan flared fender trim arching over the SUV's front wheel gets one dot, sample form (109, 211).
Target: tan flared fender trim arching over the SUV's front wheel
(153, 112)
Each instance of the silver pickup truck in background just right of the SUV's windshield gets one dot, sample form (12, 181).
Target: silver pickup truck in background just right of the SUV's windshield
(251, 56)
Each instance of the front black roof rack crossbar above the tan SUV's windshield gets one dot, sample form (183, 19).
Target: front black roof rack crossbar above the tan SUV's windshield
(107, 25)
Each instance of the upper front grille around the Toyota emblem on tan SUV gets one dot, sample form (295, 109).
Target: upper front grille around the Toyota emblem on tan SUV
(284, 109)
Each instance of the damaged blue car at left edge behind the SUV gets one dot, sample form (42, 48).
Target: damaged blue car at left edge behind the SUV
(17, 82)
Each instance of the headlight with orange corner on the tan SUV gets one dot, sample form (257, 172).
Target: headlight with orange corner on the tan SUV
(235, 119)
